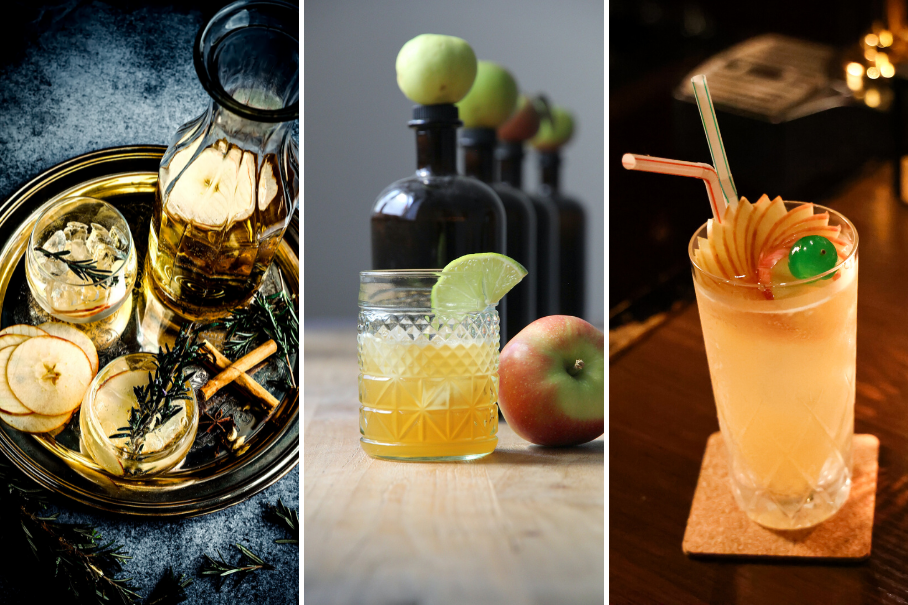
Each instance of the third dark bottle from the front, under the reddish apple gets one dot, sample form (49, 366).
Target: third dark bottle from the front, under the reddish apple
(510, 163)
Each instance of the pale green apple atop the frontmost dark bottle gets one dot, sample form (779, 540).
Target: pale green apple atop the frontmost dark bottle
(433, 69)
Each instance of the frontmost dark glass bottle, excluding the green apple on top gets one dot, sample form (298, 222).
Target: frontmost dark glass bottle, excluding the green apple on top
(427, 220)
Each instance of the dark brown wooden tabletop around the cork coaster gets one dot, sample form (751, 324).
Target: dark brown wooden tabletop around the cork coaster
(661, 412)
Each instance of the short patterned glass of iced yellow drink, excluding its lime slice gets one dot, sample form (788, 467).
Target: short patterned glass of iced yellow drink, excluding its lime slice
(428, 383)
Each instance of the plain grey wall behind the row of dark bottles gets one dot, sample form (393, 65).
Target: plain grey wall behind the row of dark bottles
(356, 135)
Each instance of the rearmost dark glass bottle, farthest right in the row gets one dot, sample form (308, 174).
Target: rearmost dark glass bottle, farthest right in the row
(572, 236)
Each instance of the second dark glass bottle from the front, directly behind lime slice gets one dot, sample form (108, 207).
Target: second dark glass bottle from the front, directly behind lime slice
(479, 162)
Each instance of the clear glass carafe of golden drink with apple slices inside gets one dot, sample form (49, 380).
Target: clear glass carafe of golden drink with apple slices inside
(228, 184)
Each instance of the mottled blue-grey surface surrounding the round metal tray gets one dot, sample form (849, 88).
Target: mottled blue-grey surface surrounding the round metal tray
(89, 75)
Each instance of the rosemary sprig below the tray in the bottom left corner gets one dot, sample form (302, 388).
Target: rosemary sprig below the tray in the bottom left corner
(73, 555)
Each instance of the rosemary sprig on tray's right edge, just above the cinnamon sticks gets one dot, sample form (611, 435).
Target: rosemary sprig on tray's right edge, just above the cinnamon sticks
(271, 316)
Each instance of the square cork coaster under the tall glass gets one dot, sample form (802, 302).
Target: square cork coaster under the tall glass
(717, 527)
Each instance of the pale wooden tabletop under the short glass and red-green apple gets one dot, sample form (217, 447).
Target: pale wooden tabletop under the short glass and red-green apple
(524, 525)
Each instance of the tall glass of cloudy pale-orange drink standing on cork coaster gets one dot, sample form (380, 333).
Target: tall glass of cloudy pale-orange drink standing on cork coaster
(782, 363)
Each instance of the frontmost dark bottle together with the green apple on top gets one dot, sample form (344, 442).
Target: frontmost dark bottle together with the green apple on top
(435, 216)
